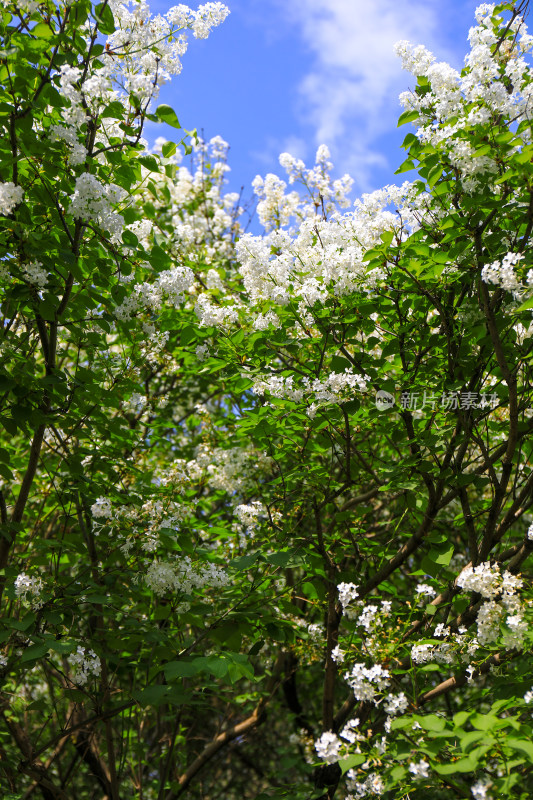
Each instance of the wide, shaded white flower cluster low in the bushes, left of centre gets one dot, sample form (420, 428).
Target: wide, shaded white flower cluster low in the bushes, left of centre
(164, 577)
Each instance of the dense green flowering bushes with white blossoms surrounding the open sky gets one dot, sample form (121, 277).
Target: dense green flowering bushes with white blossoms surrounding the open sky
(266, 501)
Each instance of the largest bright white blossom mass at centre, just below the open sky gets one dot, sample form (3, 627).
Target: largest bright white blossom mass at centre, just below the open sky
(327, 257)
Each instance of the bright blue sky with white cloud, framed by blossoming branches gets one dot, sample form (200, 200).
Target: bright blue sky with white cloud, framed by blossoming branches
(288, 75)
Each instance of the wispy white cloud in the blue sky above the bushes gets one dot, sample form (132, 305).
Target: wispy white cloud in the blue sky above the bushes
(350, 92)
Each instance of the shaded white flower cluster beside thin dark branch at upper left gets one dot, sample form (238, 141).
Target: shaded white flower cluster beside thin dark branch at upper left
(94, 202)
